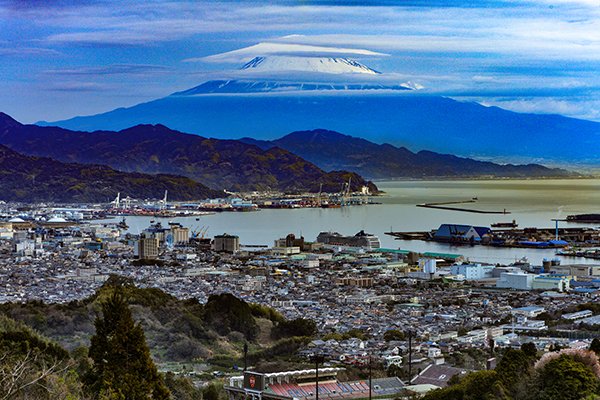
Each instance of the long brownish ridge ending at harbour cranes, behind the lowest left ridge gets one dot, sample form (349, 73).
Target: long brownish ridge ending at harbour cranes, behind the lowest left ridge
(223, 164)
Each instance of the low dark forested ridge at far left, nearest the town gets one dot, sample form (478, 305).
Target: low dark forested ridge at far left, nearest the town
(35, 179)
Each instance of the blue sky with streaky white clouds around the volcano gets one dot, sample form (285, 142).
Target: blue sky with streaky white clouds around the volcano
(59, 59)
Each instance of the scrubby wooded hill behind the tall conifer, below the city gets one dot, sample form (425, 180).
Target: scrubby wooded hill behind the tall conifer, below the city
(176, 330)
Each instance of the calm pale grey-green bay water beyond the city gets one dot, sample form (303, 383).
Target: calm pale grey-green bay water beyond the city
(531, 203)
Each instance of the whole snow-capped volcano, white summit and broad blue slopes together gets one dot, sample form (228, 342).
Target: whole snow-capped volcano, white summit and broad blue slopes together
(275, 93)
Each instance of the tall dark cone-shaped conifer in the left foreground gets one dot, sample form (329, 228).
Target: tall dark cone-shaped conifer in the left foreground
(122, 366)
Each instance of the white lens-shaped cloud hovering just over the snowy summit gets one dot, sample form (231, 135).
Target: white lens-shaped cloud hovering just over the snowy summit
(284, 49)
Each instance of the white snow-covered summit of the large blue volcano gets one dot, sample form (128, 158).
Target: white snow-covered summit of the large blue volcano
(330, 65)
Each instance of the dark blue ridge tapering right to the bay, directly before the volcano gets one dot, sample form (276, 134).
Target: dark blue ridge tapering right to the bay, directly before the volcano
(333, 150)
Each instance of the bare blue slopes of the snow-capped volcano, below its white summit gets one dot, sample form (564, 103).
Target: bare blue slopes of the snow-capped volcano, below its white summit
(401, 117)
